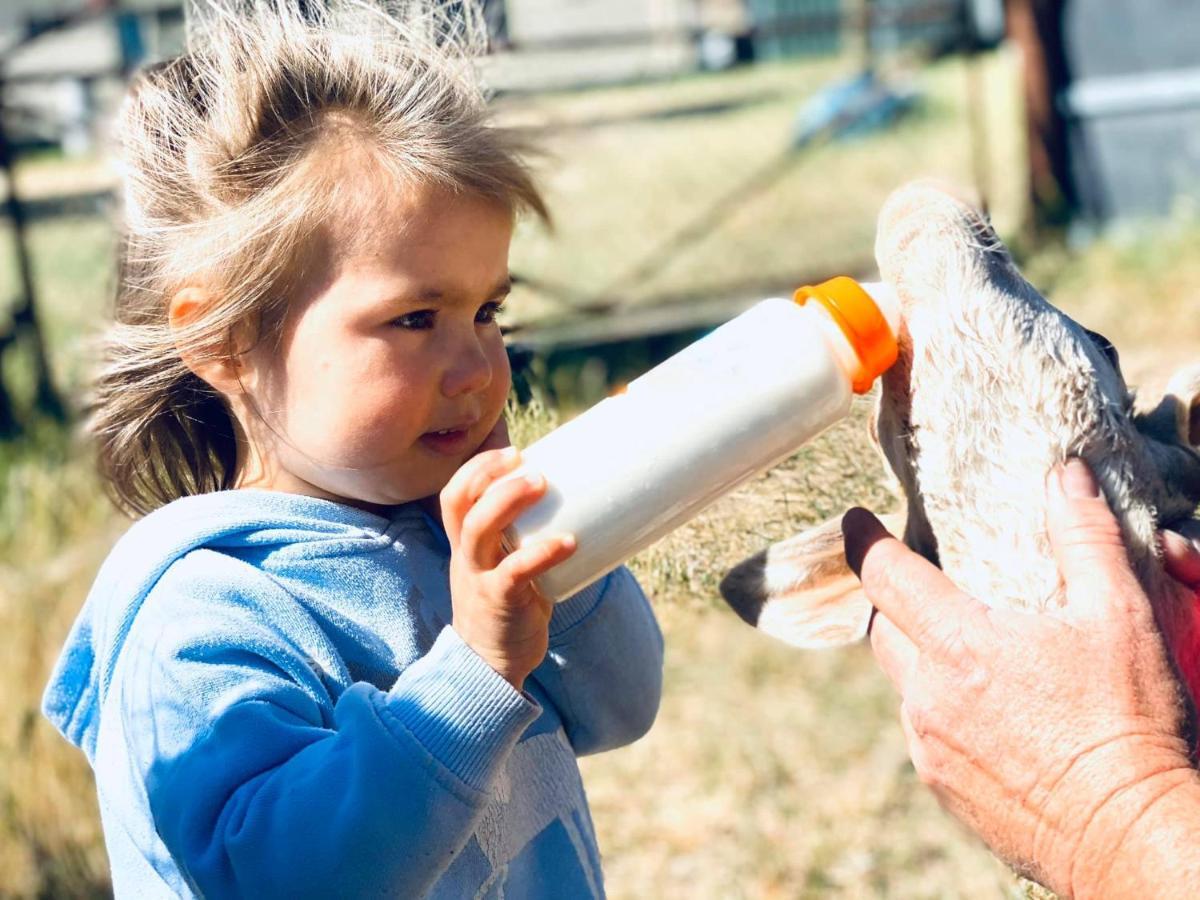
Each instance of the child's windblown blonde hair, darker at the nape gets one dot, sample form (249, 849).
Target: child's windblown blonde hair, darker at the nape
(221, 191)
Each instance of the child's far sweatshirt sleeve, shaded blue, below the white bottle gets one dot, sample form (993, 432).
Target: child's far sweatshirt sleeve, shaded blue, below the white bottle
(604, 669)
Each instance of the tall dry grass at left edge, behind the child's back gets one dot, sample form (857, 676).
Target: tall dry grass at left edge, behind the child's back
(56, 529)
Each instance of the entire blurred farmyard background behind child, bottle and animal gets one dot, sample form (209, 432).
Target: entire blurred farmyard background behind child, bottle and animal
(700, 155)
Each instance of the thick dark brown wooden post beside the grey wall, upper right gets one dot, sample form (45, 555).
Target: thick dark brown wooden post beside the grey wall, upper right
(1036, 26)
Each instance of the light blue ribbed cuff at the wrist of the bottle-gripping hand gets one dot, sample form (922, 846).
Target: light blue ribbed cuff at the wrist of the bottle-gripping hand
(461, 711)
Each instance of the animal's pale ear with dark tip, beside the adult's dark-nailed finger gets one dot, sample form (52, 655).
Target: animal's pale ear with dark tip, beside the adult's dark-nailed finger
(802, 591)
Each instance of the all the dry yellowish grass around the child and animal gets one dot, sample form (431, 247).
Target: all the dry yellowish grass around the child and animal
(770, 773)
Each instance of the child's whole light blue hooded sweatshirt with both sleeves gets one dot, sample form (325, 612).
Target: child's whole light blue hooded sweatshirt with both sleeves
(274, 705)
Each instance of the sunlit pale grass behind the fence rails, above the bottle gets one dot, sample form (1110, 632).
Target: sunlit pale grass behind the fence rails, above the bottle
(631, 167)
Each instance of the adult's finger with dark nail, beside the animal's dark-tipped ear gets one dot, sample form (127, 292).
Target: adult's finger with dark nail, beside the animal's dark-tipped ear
(907, 587)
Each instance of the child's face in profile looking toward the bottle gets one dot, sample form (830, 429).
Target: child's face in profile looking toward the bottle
(392, 370)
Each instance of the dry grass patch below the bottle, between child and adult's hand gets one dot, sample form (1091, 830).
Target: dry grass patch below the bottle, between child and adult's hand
(771, 772)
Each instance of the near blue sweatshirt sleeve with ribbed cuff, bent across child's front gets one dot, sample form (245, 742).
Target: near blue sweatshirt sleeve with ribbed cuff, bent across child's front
(263, 782)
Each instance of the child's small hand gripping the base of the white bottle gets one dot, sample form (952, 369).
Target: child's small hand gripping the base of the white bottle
(497, 611)
